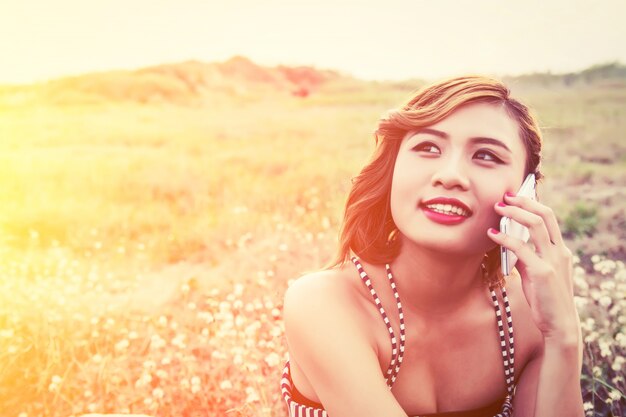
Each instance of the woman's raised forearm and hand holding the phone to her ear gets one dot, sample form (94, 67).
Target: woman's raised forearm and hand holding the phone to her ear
(551, 384)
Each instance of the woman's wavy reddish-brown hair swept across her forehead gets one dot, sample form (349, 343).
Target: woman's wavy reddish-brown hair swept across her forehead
(368, 229)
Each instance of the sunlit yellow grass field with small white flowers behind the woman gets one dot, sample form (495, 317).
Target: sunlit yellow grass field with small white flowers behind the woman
(145, 248)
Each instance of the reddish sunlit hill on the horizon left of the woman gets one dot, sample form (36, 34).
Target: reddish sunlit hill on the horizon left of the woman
(178, 83)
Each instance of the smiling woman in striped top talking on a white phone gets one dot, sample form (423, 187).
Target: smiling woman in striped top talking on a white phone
(414, 316)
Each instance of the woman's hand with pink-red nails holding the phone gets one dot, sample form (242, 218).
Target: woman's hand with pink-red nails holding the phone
(546, 270)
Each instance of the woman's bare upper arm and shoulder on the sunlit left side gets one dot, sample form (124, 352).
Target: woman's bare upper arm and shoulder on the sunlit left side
(330, 343)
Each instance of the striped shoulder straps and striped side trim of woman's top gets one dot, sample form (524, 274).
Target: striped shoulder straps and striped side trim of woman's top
(299, 410)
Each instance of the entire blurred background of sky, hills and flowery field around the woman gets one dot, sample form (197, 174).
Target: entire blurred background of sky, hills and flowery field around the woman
(167, 169)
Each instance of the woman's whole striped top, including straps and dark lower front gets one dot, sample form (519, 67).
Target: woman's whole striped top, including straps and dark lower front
(300, 406)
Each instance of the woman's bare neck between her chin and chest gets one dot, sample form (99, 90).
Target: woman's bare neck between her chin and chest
(434, 283)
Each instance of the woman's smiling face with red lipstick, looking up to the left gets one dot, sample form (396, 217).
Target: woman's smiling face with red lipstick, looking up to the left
(448, 176)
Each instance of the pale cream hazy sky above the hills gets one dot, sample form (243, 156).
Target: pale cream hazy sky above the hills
(384, 40)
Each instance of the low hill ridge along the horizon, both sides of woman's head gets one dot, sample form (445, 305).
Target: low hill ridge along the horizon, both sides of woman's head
(200, 83)
